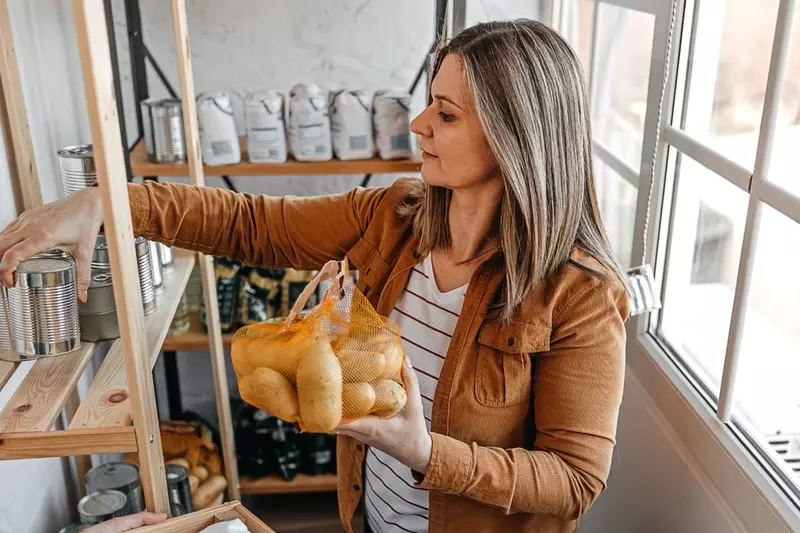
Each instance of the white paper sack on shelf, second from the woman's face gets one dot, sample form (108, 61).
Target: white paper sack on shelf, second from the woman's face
(351, 125)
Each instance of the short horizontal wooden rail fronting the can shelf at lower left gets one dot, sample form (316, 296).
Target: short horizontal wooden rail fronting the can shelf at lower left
(65, 443)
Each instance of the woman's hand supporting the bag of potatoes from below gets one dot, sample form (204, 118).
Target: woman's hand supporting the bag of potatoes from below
(403, 436)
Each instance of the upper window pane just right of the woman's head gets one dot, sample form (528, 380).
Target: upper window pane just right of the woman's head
(623, 49)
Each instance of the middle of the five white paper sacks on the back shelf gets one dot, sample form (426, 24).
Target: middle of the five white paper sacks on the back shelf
(309, 124)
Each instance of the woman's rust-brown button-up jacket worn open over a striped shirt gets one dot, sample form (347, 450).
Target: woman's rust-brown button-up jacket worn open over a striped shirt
(525, 413)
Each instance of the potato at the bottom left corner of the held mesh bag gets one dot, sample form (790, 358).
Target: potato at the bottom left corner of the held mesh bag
(269, 390)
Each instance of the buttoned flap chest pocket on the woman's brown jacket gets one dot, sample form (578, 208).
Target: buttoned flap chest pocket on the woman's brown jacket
(503, 375)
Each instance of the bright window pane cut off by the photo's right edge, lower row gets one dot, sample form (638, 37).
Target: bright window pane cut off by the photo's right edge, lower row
(768, 380)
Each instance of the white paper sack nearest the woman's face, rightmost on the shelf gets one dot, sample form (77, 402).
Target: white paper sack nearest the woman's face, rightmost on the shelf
(392, 122)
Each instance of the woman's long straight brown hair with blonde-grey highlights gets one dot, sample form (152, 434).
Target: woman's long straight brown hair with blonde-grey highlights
(530, 97)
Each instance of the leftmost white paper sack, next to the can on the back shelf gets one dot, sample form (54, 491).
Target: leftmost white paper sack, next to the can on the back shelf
(219, 140)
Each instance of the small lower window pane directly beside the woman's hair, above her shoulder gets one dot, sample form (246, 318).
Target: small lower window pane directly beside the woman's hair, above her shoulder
(617, 199)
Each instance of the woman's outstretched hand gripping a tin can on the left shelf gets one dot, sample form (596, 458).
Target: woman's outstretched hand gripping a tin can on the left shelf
(71, 224)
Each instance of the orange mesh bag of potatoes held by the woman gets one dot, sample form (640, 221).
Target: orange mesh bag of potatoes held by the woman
(326, 366)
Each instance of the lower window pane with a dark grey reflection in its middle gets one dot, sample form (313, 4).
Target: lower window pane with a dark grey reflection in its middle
(705, 245)
